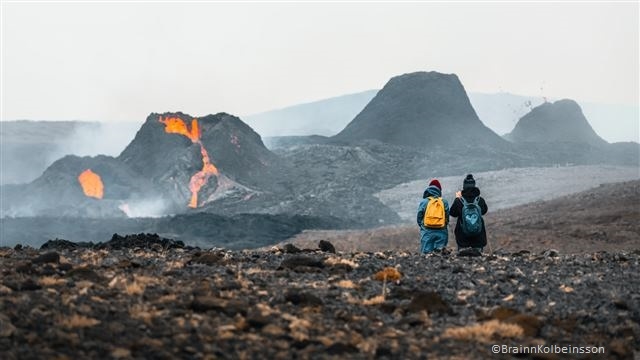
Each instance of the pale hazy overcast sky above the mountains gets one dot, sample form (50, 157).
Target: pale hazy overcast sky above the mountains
(119, 62)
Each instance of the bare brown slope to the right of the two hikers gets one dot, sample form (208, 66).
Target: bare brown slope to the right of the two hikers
(602, 218)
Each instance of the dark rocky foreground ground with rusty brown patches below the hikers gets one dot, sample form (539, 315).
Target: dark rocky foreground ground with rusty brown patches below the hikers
(147, 297)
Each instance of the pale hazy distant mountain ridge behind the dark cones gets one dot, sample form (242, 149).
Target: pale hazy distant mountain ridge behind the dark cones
(498, 111)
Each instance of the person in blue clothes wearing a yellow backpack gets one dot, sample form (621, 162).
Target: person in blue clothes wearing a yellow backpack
(433, 218)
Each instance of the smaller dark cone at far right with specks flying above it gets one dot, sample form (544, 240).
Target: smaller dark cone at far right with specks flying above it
(558, 122)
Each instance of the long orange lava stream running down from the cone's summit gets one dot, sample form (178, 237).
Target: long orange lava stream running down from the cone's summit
(174, 125)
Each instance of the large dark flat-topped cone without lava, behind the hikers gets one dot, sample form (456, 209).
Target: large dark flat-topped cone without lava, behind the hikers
(420, 109)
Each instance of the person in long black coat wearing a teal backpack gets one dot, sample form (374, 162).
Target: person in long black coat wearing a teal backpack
(468, 207)
